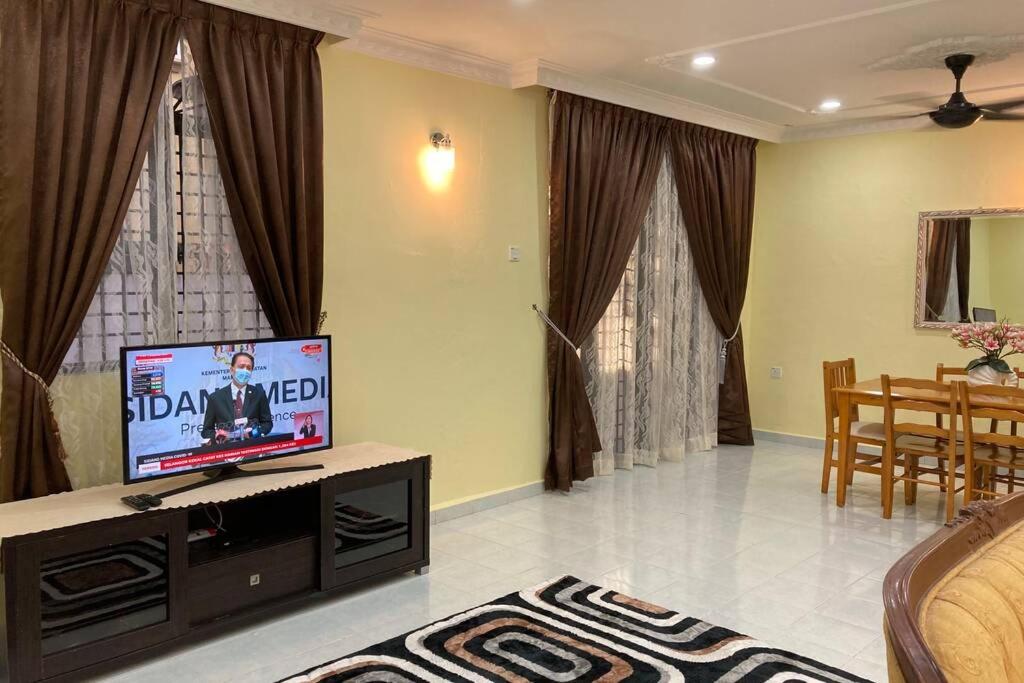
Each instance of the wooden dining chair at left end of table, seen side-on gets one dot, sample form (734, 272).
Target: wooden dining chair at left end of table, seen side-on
(841, 374)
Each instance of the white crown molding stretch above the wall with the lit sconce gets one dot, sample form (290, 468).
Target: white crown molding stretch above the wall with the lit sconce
(433, 58)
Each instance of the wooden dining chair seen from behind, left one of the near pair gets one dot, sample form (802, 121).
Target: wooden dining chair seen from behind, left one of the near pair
(909, 442)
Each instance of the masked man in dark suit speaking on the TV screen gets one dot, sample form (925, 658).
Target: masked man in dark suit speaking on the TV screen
(239, 410)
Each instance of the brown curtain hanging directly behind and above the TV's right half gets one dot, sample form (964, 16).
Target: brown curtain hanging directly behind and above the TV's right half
(263, 83)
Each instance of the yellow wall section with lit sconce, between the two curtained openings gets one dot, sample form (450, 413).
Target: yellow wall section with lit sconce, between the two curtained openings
(436, 346)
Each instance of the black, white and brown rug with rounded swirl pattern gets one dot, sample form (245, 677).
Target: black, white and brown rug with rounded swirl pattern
(567, 630)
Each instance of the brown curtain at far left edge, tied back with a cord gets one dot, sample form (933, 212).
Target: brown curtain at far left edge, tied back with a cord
(80, 83)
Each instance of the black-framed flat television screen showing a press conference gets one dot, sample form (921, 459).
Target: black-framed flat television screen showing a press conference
(196, 407)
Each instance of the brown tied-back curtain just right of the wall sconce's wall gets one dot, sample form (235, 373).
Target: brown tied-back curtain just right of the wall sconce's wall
(605, 162)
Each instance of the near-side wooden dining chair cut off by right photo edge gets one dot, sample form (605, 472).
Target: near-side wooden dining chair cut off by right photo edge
(990, 452)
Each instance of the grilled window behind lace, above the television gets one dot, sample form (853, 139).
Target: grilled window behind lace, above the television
(177, 274)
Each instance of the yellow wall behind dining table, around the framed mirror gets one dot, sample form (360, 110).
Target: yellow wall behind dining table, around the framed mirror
(833, 264)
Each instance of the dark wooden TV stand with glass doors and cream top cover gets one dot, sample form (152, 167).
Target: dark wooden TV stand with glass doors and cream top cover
(91, 584)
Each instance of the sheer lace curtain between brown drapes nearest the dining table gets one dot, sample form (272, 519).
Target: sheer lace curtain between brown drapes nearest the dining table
(652, 365)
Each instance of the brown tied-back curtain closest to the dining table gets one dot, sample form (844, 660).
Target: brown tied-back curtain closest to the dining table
(715, 176)
